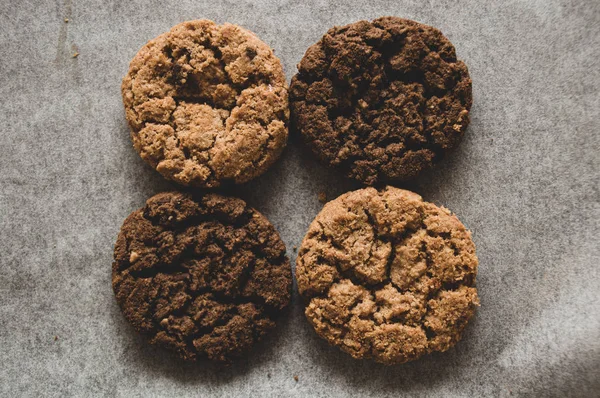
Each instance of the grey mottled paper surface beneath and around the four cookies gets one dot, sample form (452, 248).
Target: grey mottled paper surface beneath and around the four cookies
(525, 180)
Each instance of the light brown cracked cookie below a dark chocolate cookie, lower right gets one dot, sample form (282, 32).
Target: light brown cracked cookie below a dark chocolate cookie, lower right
(387, 276)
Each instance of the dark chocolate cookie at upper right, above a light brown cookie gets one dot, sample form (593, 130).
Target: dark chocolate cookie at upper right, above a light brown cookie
(381, 100)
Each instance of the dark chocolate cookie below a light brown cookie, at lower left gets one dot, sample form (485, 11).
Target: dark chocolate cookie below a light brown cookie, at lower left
(205, 276)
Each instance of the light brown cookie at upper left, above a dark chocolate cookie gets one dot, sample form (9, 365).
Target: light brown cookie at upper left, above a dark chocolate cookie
(207, 104)
